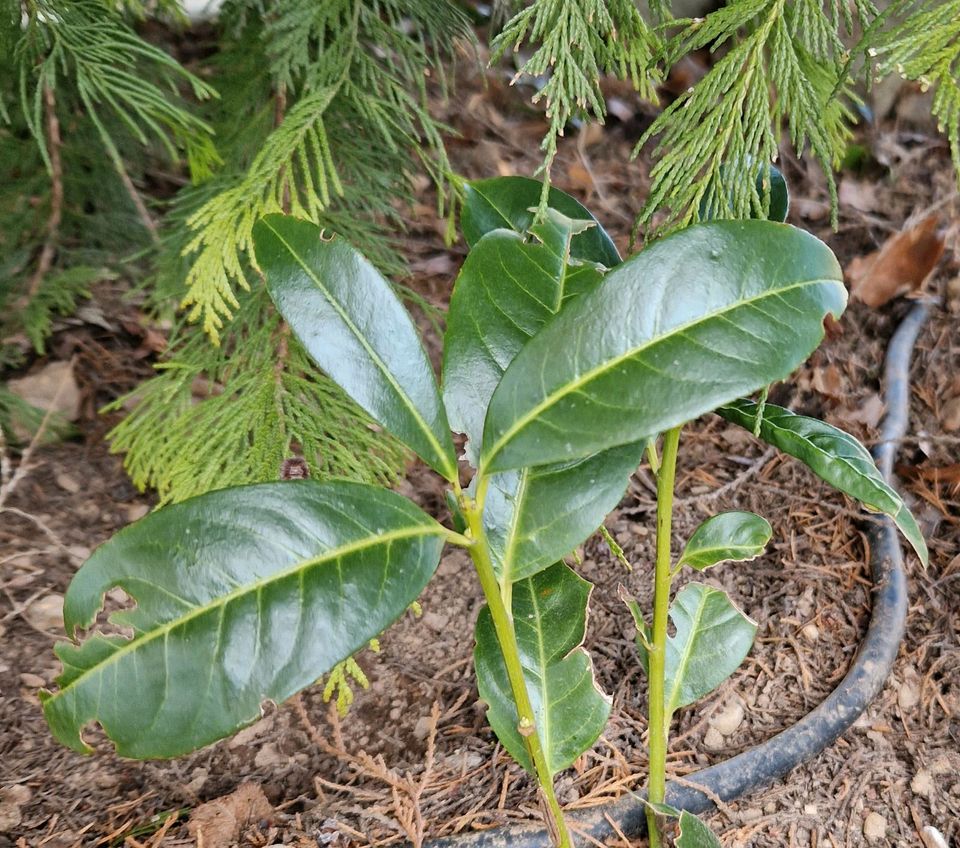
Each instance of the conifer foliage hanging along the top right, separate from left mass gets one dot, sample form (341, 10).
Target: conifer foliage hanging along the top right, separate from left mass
(781, 68)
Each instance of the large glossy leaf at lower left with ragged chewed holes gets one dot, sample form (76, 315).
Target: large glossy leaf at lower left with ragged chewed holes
(242, 596)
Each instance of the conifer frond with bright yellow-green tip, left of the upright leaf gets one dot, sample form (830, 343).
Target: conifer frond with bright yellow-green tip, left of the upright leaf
(359, 75)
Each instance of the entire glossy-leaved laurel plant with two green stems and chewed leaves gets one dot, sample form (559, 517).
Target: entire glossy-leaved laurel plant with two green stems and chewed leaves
(562, 366)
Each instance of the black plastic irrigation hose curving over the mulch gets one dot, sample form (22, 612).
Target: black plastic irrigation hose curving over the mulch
(817, 730)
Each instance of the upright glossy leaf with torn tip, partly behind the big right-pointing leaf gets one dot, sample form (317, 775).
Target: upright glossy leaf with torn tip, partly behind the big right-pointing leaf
(507, 290)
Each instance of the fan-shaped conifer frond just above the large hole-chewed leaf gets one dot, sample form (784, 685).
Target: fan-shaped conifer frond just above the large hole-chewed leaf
(214, 417)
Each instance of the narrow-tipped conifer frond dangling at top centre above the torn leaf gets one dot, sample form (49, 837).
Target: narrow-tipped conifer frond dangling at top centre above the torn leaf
(579, 40)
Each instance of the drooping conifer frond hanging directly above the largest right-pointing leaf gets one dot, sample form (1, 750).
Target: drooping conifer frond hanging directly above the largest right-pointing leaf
(781, 69)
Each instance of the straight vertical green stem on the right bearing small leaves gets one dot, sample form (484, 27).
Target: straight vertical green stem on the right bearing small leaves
(658, 718)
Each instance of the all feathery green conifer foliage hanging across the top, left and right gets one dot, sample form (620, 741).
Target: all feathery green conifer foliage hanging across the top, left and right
(320, 109)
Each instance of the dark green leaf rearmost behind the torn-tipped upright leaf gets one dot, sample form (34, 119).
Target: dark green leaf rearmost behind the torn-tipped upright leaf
(507, 203)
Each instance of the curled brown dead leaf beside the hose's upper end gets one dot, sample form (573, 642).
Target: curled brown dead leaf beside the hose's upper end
(902, 265)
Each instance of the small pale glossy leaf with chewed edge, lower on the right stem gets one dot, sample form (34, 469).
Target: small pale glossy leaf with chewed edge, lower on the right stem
(712, 638)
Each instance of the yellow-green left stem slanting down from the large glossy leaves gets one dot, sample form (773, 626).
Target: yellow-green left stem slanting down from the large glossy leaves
(502, 617)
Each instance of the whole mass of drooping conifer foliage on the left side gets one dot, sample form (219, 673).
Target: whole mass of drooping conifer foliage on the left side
(315, 108)
